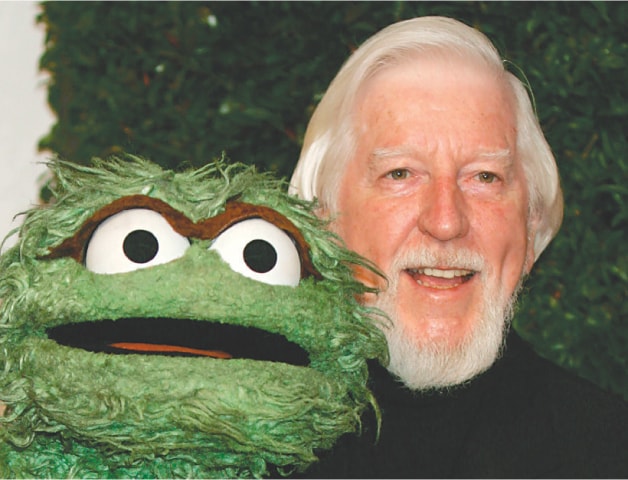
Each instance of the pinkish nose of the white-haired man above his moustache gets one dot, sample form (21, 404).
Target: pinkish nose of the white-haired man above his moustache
(443, 211)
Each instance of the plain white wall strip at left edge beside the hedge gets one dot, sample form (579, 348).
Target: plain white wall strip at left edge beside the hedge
(24, 113)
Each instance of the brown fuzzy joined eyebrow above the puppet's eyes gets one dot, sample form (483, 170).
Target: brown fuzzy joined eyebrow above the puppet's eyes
(208, 229)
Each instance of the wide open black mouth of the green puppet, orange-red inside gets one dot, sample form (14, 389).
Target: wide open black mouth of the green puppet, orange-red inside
(178, 337)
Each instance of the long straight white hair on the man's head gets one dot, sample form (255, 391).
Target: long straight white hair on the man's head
(330, 139)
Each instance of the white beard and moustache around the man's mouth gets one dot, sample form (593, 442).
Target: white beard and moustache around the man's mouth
(430, 365)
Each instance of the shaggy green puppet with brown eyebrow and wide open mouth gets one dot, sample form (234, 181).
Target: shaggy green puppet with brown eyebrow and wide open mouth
(177, 324)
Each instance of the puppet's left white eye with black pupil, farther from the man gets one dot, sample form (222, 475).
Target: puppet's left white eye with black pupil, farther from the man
(133, 239)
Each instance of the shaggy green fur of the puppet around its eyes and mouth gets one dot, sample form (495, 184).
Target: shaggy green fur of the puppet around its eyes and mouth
(75, 413)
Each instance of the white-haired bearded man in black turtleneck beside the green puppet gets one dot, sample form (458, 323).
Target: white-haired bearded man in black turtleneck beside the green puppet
(428, 158)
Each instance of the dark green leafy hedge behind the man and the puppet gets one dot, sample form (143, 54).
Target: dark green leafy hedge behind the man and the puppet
(180, 82)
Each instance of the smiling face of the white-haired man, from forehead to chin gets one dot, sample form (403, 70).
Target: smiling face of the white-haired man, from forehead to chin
(436, 196)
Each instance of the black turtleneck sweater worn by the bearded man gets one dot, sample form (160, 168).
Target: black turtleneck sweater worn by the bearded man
(524, 417)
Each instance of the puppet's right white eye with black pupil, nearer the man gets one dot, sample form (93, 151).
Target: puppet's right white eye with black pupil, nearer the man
(260, 250)
